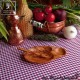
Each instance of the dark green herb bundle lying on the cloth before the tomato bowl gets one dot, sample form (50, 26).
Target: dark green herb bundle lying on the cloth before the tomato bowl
(44, 37)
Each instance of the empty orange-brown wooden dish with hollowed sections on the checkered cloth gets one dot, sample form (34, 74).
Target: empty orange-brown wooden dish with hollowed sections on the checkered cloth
(43, 54)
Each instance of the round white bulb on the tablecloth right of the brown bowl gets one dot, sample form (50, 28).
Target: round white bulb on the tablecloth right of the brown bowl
(69, 32)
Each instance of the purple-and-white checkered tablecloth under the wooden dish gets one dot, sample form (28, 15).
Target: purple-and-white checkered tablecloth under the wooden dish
(13, 67)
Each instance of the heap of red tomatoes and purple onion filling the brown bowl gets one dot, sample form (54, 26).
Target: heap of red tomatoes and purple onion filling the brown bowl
(48, 14)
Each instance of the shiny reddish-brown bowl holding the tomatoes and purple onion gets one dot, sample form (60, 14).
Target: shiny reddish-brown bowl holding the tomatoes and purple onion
(52, 27)
